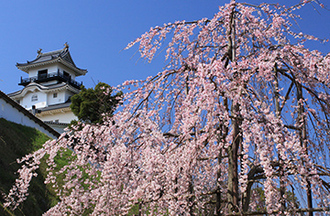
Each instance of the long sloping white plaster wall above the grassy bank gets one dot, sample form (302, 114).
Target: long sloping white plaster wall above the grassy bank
(11, 114)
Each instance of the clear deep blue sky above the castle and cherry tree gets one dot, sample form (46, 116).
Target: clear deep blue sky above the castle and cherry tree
(98, 30)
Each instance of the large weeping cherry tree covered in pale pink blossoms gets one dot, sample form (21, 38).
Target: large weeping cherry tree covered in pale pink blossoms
(242, 108)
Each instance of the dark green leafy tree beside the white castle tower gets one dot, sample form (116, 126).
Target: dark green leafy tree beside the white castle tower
(90, 104)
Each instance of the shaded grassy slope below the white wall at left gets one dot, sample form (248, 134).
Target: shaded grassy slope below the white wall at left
(16, 141)
